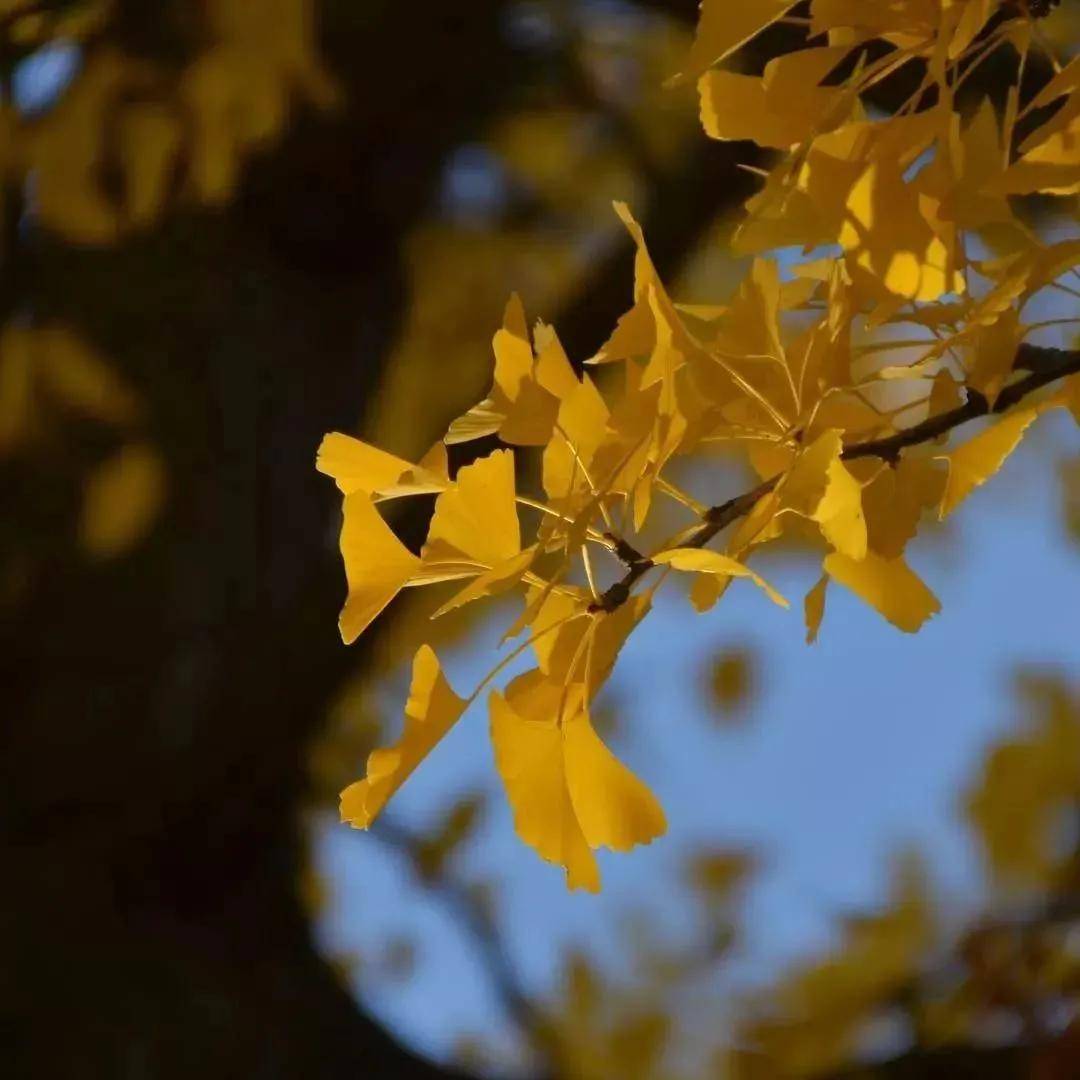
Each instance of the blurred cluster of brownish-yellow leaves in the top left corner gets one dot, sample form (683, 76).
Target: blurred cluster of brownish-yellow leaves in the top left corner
(159, 132)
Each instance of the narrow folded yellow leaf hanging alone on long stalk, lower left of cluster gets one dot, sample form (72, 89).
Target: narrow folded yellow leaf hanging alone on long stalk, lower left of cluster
(431, 711)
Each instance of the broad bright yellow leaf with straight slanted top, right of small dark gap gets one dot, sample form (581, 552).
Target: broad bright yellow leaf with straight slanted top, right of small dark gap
(476, 519)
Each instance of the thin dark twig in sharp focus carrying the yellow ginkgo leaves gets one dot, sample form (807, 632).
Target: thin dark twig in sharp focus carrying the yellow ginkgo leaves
(1044, 367)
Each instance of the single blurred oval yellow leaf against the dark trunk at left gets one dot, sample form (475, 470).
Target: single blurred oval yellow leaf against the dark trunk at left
(121, 502)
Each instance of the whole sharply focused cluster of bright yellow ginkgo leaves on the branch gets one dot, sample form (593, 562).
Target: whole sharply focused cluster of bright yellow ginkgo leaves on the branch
(791, 374)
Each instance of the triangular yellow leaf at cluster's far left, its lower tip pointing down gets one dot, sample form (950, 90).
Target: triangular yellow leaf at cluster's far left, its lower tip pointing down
(377, 565)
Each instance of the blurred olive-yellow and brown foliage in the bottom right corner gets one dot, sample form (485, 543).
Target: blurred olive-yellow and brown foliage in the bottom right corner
(1016, 965)
